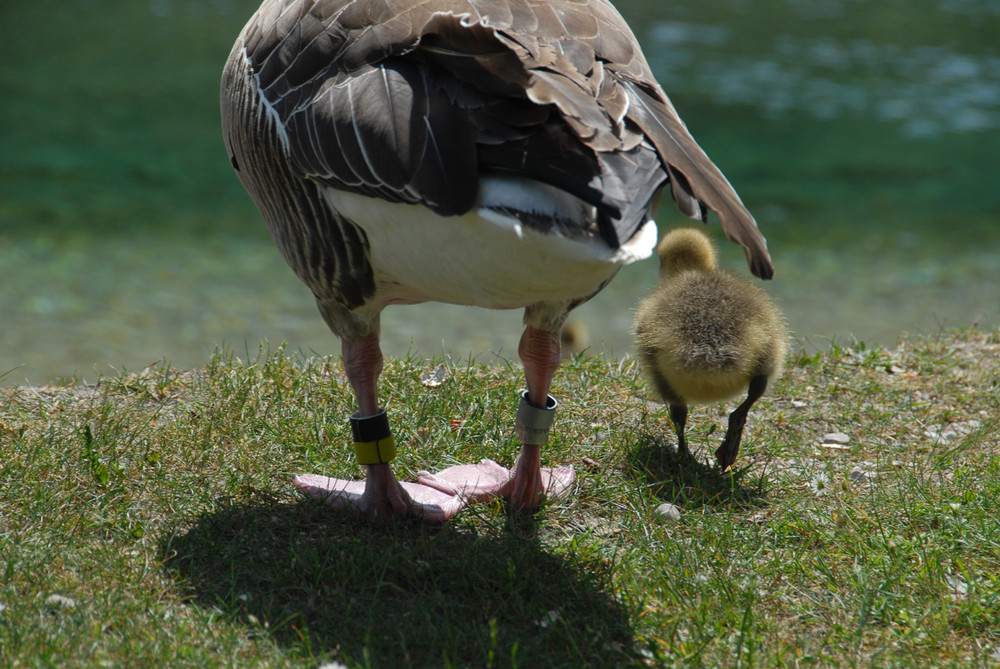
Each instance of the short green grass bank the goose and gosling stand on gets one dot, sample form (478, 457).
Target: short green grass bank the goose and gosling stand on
(160, 504)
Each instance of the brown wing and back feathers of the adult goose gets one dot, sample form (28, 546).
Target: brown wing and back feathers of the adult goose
(444, 70)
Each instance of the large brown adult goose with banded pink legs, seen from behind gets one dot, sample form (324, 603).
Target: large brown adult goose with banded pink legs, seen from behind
(497, 153)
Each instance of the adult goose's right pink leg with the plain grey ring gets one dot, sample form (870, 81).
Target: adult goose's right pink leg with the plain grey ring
(539, 351)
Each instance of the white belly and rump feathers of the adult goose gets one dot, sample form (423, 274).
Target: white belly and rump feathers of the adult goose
(485, 258)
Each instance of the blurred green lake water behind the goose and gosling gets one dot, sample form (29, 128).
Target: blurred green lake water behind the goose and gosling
(864, 135)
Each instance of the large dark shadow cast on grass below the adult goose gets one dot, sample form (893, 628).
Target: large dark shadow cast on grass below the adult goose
(401, 594)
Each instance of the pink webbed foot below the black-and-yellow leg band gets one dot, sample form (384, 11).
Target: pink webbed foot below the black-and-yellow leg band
(371, 499)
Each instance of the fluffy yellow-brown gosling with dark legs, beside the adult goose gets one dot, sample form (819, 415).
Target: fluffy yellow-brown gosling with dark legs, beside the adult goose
(704, 335)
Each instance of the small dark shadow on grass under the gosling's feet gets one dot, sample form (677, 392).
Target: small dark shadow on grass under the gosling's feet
(689, 482)
